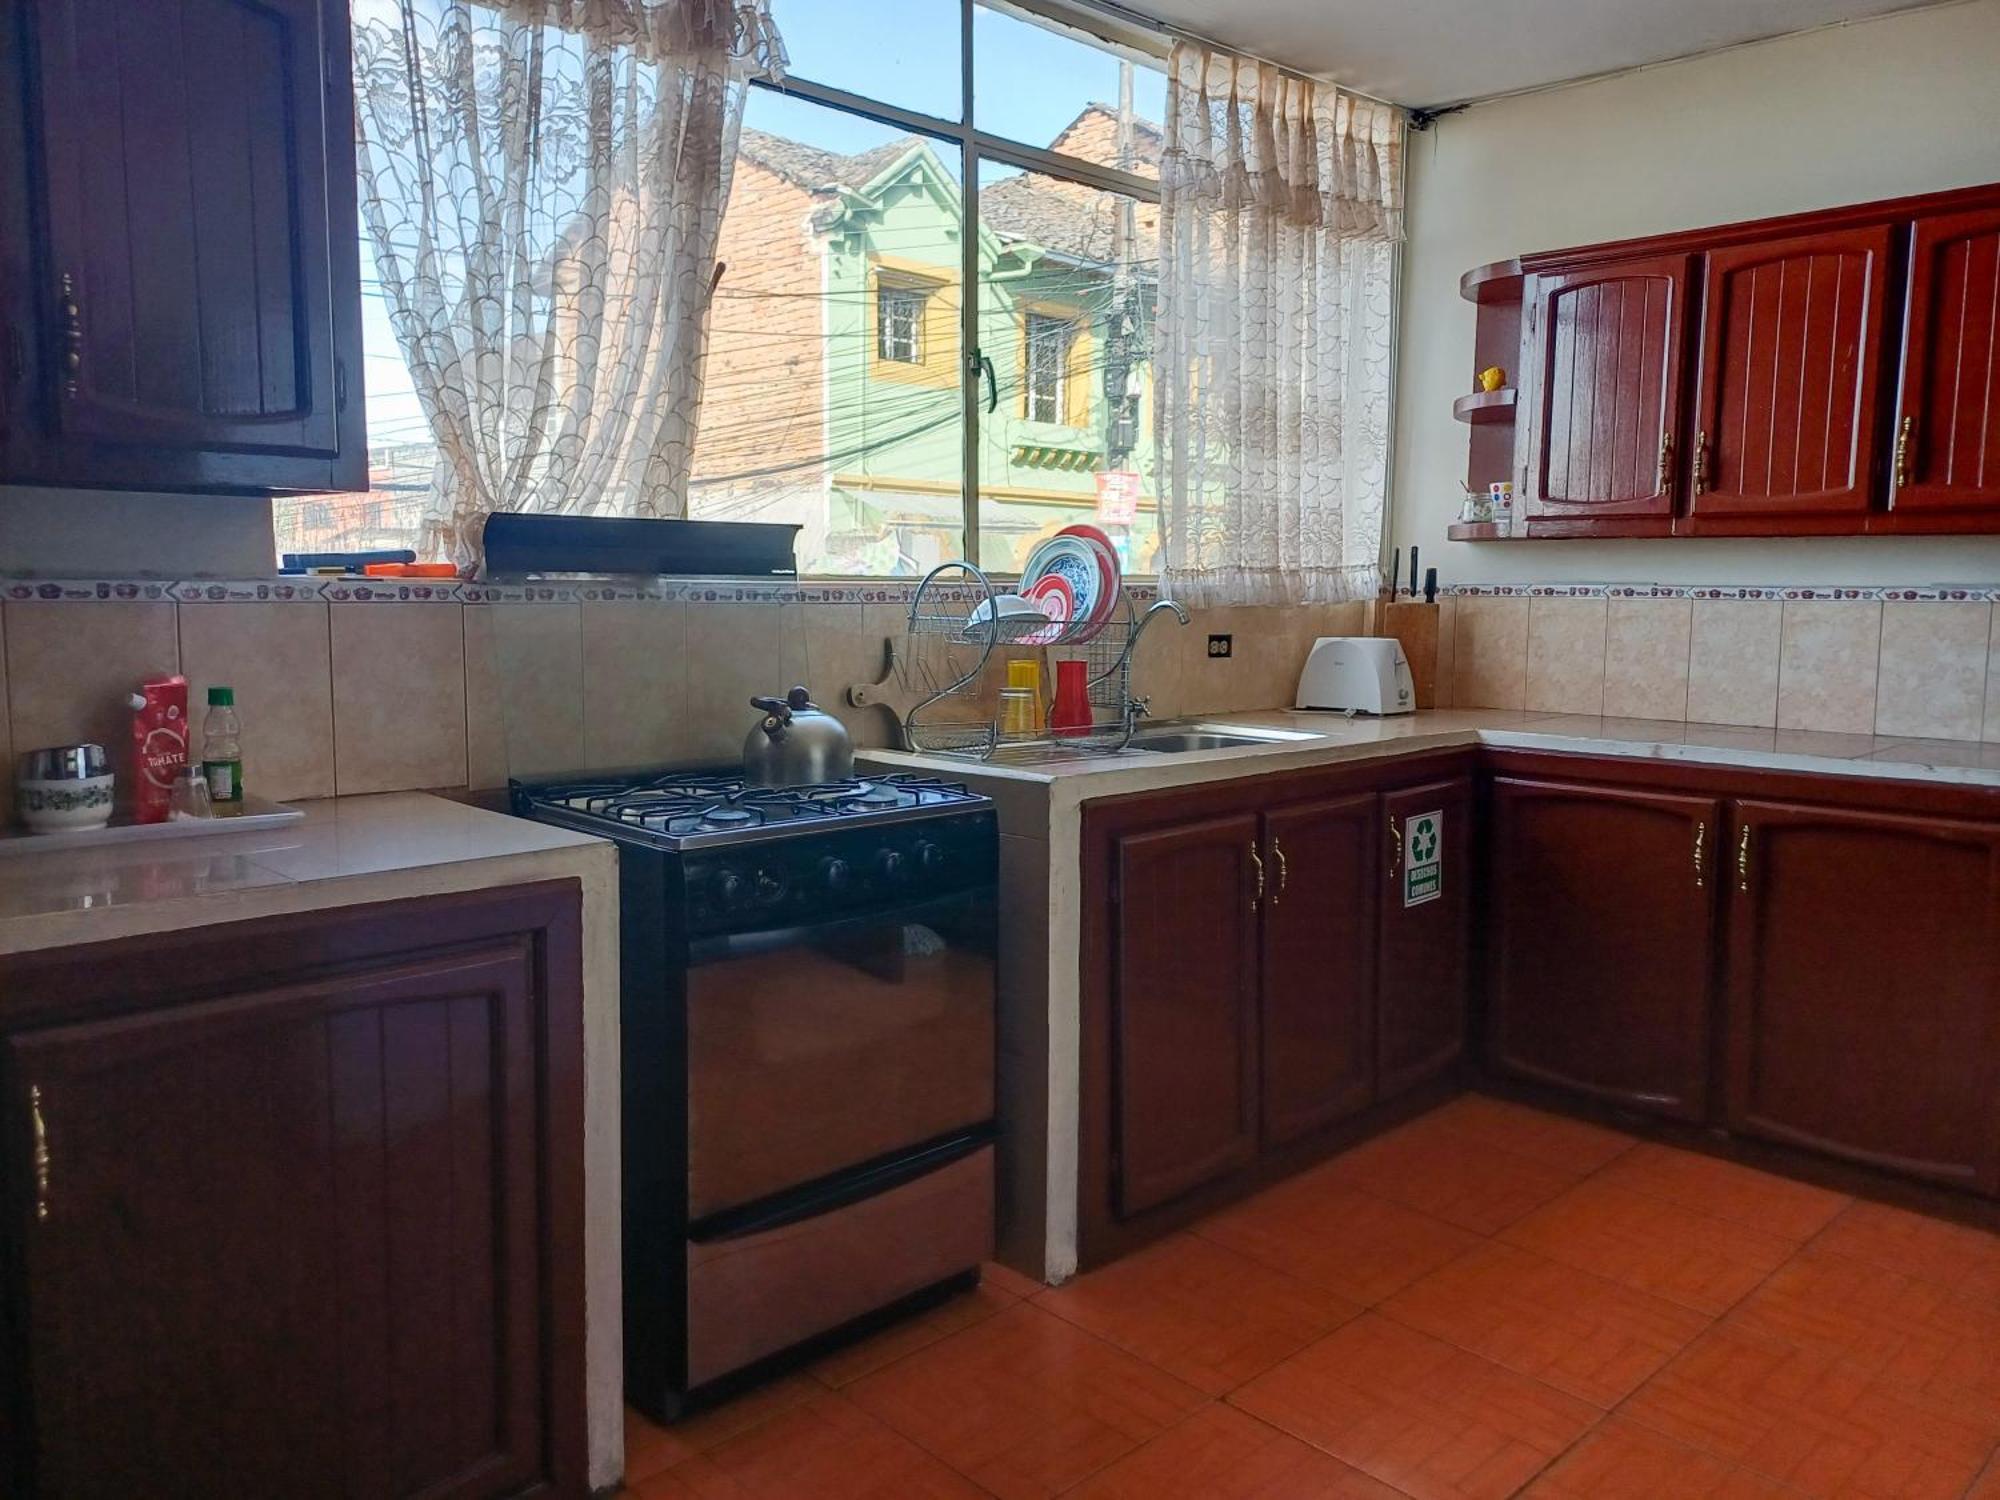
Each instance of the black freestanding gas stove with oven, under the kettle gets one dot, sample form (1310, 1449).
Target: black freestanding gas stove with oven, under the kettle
(807, 1035)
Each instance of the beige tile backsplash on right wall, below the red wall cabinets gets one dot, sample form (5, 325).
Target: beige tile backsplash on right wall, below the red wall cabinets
(1905, 663)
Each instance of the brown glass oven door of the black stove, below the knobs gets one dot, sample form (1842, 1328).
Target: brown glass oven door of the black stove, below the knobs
(837, 1047)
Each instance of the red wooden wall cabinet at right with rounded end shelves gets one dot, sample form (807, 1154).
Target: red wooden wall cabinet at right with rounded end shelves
(1827, 373)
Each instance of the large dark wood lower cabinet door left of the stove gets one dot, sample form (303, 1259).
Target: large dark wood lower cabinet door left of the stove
(289, 1241)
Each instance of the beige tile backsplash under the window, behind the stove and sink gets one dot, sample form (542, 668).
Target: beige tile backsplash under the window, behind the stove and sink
(465, 687)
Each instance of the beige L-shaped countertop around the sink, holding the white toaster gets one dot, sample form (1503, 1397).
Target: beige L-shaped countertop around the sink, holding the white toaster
(1331, 739)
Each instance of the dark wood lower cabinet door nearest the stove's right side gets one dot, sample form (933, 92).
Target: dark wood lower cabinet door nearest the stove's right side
(1185, 1009)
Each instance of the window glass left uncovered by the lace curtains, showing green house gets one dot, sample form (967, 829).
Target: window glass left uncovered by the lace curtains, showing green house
(839, 393)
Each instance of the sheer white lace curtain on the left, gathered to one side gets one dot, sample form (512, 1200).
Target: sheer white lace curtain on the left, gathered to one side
(543, 183)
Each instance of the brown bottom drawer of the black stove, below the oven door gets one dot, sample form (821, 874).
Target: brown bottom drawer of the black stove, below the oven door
(761, 1293)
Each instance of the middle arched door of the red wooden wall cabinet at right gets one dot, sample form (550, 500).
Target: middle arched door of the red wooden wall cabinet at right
(1785, 417)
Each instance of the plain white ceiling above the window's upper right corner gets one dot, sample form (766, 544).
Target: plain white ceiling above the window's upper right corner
(1429, 53)
